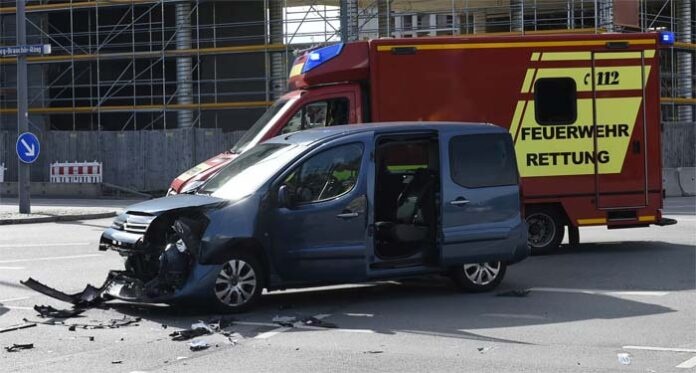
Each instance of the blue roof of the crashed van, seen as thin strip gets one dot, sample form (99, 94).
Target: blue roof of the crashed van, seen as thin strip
(325, 133)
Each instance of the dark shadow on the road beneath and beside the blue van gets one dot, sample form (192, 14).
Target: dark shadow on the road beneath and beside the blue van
(430, 305)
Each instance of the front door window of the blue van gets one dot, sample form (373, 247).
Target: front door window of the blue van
(326, 175)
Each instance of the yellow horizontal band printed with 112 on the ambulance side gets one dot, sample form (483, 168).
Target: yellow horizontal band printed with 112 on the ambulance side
(624, 77)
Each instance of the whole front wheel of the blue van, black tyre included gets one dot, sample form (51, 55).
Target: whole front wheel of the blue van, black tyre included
(239, 283)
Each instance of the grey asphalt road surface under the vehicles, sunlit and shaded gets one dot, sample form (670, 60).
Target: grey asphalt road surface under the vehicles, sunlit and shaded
(623, 291)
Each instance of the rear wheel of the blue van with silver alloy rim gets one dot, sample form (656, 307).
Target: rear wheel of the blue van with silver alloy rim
(479, 277)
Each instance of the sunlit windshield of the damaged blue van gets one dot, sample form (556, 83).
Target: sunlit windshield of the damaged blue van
(247, 173)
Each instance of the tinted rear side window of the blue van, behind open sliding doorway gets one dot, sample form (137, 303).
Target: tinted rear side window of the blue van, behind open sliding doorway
(482, 160)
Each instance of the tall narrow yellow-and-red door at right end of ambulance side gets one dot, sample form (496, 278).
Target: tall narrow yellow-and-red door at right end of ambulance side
(618, 81)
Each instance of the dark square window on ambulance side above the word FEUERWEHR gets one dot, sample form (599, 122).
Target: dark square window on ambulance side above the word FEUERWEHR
(555, 101)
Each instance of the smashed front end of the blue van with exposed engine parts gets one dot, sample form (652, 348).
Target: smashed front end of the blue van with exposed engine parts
(159, 251)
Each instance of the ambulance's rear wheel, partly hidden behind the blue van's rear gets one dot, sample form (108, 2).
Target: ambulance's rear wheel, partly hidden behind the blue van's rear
(546, 230)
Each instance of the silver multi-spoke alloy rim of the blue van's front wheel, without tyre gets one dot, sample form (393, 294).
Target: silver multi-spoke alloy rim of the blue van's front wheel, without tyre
(236, 283)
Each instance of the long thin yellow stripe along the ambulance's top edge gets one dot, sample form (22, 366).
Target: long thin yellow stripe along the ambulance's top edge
(533, 44)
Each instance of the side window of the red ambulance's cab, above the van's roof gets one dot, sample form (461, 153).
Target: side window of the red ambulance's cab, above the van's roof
(324, 113)
